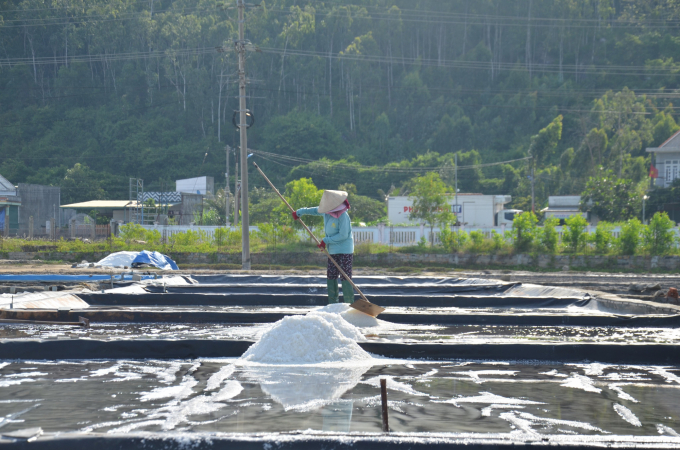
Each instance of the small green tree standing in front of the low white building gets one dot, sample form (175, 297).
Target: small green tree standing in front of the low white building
(430, 202)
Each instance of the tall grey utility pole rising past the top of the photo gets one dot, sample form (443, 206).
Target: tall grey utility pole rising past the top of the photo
(241, 48)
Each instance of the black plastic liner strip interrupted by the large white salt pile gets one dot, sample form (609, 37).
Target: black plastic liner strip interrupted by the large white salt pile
(655, 354)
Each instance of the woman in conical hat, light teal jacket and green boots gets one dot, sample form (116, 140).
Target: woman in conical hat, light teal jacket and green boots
(333, 207)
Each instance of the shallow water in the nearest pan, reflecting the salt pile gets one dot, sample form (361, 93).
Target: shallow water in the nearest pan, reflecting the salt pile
(523, 399)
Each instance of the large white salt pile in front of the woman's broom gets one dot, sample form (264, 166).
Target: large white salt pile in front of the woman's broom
(310, 339)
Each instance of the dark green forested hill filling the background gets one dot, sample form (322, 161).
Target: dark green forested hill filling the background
(93, 92)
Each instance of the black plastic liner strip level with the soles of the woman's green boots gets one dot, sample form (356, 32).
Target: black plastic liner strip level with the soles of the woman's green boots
(321, 299)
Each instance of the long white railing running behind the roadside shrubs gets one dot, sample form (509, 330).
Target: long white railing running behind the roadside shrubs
(396, 236)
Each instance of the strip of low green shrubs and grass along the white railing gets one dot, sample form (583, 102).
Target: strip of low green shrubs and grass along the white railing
(658, 238)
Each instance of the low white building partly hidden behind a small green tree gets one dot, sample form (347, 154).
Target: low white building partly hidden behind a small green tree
(472, 209)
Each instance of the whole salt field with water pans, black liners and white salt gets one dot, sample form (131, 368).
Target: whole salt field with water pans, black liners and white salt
(511, 364)
